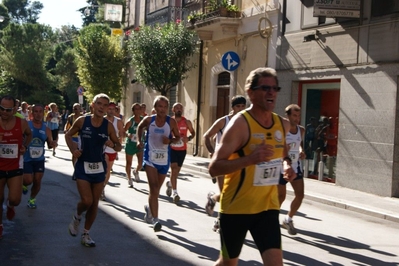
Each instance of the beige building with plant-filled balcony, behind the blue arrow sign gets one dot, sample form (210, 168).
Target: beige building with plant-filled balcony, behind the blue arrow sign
(207, 92)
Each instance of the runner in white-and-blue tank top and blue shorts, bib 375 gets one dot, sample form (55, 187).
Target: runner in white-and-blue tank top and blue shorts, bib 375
(157, 153)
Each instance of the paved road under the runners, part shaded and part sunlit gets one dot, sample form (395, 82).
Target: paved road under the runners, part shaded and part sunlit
(327, 235)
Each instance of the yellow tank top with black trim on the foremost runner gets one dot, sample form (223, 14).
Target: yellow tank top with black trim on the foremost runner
(253, 189)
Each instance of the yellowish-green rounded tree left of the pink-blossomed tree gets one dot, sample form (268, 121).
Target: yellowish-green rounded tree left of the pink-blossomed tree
(100, 61)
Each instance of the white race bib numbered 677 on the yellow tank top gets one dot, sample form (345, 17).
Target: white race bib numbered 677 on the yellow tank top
(268, 173)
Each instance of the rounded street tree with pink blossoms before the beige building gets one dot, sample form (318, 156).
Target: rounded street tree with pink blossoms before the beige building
(161, 55)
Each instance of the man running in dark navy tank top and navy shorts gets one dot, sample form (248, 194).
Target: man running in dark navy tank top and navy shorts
(90, 167)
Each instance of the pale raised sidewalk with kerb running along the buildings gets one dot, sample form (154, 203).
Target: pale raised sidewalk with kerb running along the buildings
(327, 193)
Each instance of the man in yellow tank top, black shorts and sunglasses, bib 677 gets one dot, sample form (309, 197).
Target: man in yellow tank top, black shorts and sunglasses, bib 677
(252, 155)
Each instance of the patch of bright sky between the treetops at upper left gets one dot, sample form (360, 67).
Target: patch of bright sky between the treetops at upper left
(61, 12)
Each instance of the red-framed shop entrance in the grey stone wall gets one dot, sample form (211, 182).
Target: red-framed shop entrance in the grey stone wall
(320, 116)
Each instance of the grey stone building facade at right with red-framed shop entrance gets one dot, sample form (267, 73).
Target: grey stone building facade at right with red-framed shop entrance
(345, 68)
